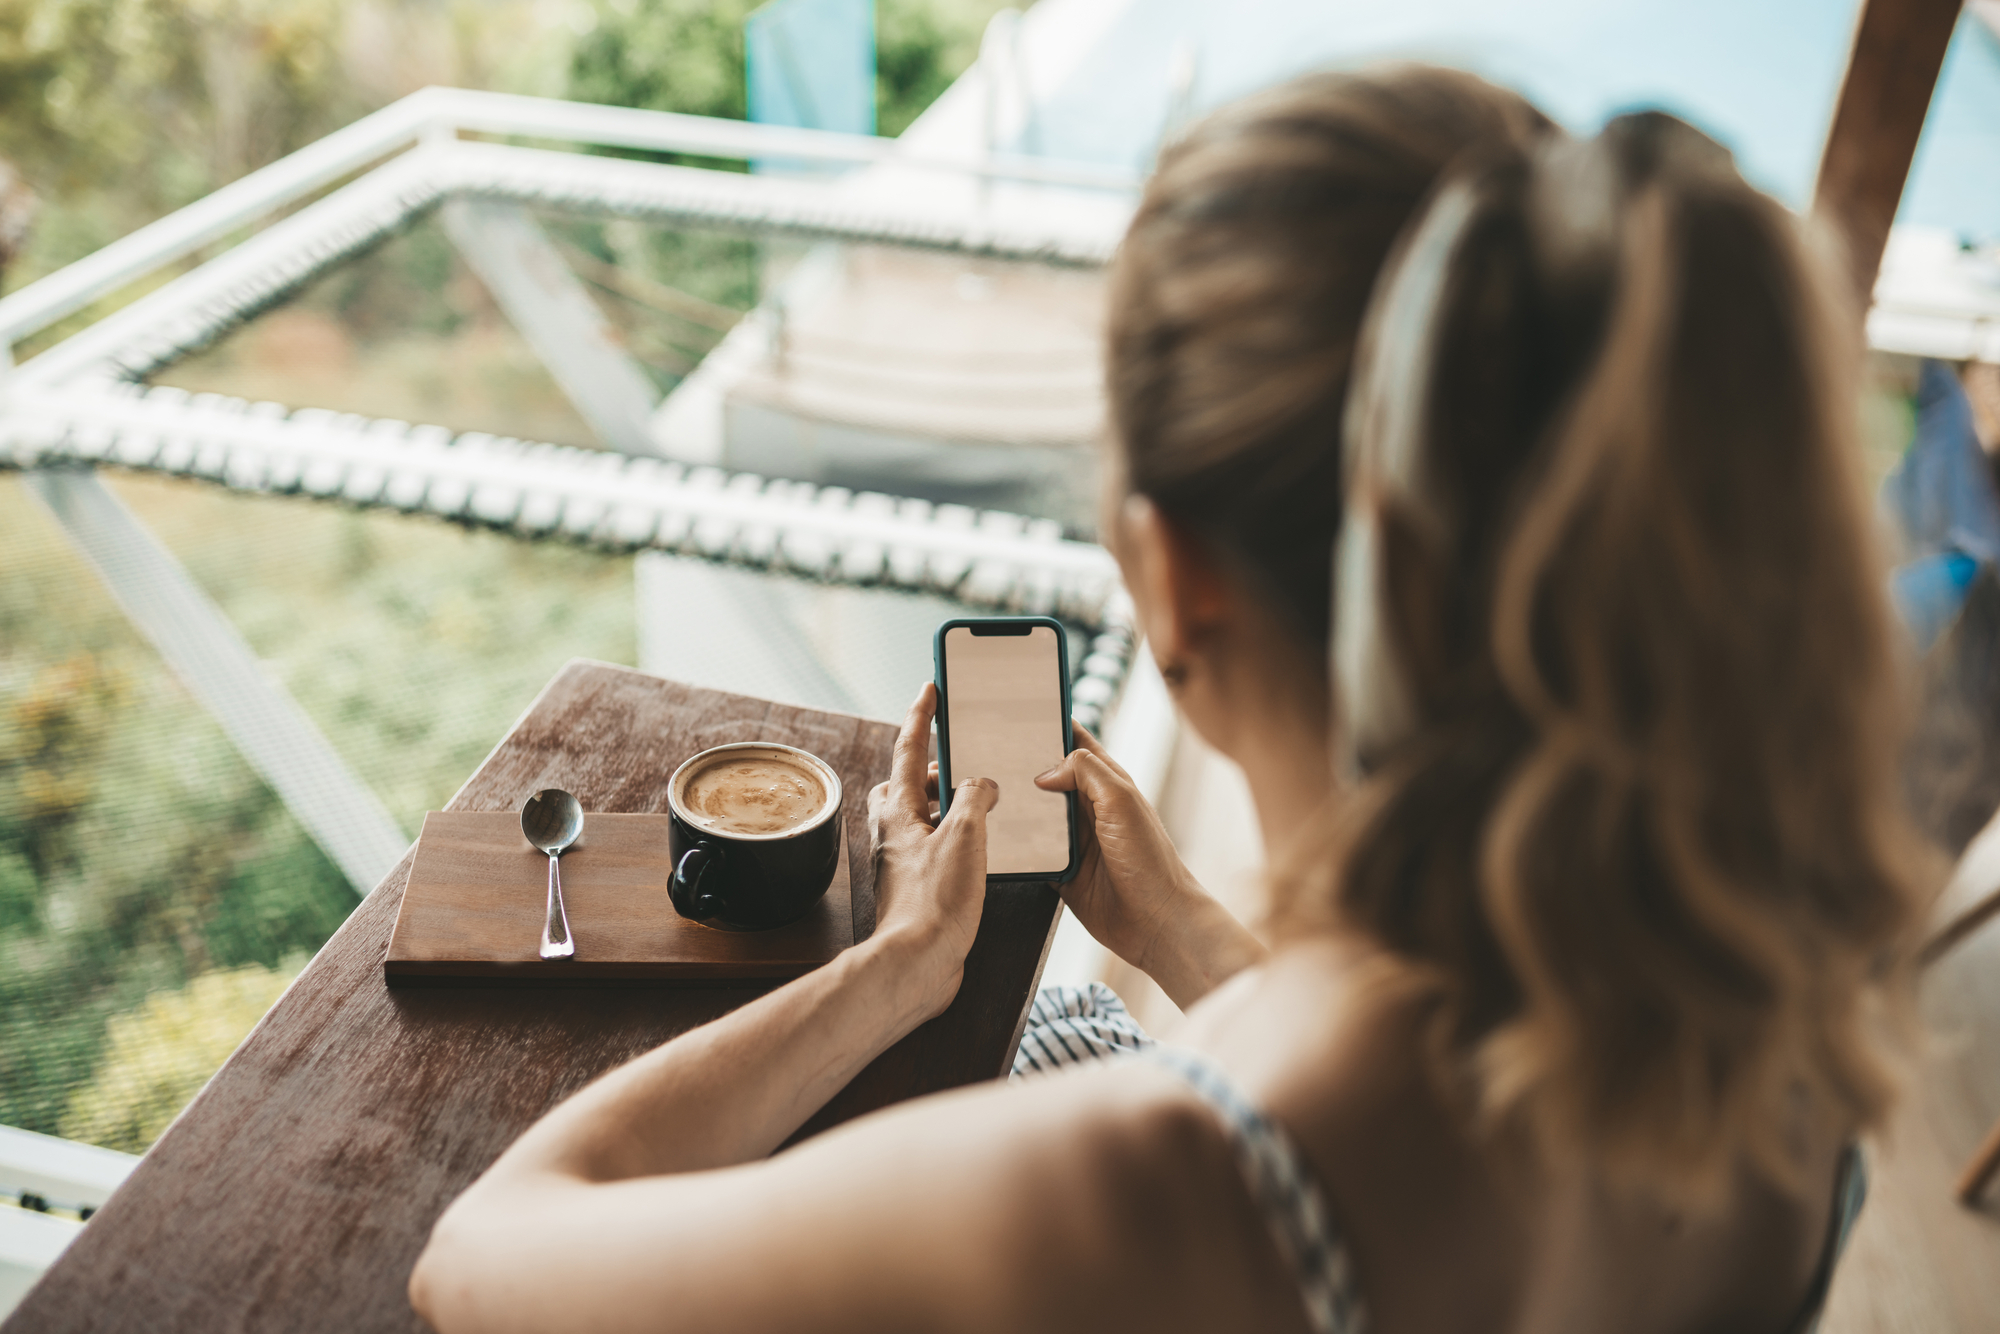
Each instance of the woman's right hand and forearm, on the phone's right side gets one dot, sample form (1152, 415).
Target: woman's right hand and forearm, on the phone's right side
(1135, 893)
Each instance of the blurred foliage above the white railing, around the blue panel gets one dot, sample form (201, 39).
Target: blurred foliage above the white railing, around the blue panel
(119, 111)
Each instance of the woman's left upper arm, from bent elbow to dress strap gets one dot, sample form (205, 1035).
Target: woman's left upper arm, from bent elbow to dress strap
(1093, 1203)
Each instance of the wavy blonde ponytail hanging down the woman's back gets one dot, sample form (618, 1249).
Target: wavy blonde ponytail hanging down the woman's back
(1615, 665)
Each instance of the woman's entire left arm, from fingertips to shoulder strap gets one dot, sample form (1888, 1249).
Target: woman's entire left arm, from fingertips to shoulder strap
(1105, 1201)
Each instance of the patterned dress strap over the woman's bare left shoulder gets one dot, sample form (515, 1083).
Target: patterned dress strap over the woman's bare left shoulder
(1287, 1193)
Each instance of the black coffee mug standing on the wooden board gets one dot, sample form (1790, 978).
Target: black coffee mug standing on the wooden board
(751, 883)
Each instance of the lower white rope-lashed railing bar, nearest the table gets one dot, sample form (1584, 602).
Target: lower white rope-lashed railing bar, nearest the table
(565, 491)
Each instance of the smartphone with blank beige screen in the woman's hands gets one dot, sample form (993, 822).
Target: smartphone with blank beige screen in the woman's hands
(1005, 715)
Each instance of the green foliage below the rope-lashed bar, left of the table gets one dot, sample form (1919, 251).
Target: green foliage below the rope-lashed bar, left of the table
(137, 851)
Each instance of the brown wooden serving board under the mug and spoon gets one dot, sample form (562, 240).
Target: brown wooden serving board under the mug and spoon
(473, 913)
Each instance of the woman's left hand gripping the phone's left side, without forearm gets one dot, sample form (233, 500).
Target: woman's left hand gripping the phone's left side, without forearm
(931, 879)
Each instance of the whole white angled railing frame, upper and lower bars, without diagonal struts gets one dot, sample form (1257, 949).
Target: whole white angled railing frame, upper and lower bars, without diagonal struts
(79, 405)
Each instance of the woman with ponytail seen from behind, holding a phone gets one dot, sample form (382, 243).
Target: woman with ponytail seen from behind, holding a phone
(1567, 1027)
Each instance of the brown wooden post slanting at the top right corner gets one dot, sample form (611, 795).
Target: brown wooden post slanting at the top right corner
(1893, 69)
